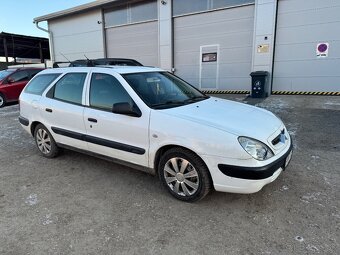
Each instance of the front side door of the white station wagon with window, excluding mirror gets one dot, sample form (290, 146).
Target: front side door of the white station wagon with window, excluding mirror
(118, 136)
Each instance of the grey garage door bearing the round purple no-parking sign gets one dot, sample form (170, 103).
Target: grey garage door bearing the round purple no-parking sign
(303, 27)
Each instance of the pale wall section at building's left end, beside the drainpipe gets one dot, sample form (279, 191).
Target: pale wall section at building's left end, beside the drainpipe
(77, 35)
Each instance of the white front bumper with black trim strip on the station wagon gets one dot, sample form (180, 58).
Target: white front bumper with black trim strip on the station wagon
(235, 178)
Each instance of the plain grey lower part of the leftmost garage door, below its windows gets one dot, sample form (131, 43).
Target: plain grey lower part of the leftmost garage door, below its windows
(137, 41)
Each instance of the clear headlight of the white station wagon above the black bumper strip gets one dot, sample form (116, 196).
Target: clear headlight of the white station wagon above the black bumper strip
(255, 148)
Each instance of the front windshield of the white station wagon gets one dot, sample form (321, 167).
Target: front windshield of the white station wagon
(162, 90)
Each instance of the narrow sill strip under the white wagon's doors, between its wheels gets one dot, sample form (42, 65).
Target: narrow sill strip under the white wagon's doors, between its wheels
(114, 160)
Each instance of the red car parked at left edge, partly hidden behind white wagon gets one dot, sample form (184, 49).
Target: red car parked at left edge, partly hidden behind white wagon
(13, 81)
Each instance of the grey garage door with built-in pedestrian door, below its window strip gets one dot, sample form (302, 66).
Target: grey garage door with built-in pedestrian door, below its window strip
(213, 50)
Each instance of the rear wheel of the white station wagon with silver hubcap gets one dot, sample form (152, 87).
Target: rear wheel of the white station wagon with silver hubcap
(45, 142)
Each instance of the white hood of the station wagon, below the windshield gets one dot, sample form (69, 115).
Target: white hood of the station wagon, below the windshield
(236, 118)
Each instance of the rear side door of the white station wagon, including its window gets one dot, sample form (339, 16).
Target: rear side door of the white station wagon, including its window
(62, 110)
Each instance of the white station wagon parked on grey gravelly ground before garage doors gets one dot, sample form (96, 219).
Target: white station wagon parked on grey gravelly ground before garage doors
(149, 119)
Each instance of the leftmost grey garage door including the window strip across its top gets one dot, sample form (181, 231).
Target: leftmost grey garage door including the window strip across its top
(132, 32)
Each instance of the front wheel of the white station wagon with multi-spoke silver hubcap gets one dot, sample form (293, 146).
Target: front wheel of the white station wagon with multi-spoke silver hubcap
(184, 175)
